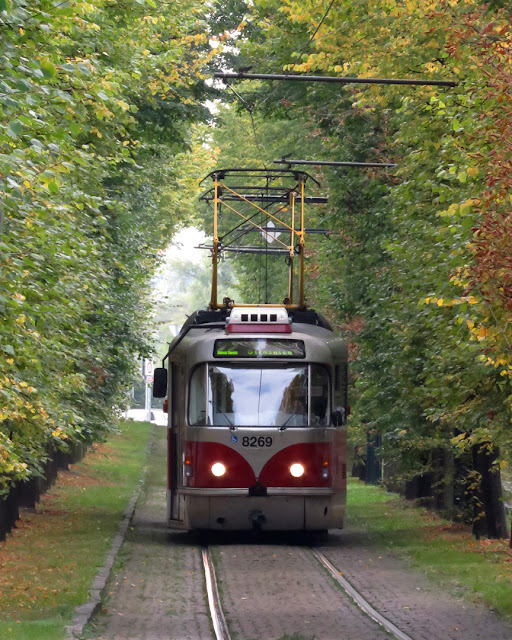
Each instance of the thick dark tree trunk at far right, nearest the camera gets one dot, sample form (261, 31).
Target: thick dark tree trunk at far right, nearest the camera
(489, 511)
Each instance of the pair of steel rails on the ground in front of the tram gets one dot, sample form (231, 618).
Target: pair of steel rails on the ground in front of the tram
(355, 597)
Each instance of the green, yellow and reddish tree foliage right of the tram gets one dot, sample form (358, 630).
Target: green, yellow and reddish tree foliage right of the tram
(418, 273)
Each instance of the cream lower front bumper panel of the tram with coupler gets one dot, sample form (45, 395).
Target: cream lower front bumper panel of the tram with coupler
(263, 513)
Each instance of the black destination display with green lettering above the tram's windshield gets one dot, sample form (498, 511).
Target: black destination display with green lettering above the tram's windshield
(259, 348)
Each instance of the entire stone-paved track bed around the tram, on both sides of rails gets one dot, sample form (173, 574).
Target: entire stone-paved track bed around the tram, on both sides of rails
(271, 588)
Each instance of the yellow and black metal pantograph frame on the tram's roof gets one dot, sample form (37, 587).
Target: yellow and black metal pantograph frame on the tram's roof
(294, 199)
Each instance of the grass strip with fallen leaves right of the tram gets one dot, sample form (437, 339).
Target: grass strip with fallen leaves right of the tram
(445, 551)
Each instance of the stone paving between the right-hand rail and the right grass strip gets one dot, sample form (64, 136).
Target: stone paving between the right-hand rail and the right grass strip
(406, 597)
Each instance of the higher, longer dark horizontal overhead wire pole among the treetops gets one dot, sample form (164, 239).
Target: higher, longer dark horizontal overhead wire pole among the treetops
(221, 75)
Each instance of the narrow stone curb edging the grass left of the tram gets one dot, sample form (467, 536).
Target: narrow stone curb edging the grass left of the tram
(84, 612)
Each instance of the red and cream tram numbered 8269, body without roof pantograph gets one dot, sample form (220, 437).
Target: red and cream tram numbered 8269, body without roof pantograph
(257, 400)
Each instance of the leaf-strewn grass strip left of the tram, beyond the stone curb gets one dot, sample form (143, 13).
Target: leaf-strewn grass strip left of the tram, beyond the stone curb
(49, 562)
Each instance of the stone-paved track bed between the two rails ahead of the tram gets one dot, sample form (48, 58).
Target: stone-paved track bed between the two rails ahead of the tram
(274, 590)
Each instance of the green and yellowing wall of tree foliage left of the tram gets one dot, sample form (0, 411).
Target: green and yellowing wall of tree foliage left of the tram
(96, 105)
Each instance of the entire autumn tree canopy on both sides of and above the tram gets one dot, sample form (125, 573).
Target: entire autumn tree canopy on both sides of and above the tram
(99, 161)
